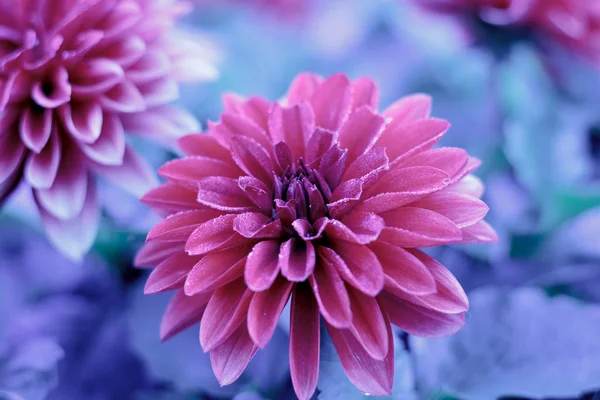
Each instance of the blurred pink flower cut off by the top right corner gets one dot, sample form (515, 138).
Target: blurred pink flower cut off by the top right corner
(573, 23)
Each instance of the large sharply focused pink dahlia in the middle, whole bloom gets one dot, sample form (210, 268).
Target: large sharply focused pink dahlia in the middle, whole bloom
(323, 200)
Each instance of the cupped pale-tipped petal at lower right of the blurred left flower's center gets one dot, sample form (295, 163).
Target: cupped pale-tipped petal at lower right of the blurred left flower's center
(109, 148)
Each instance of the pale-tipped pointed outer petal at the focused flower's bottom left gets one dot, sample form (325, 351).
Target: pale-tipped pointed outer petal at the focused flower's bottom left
(230, 358)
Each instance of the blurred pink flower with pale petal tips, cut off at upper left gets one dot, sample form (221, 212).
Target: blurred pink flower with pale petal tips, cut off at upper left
(74, 76)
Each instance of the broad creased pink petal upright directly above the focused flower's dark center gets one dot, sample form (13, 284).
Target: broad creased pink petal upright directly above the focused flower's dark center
(293, 126)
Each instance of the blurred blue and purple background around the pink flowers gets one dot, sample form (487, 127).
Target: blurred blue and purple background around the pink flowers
(518, 97)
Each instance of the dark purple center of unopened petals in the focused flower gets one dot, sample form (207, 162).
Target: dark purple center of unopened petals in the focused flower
(303, 191)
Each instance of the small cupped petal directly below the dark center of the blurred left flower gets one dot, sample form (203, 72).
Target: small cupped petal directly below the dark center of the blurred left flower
(35, 127)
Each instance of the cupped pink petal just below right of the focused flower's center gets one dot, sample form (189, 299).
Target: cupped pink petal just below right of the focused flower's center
(356, 264)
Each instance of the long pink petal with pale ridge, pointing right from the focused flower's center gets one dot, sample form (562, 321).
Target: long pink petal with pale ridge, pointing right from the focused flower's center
(401, 186)
